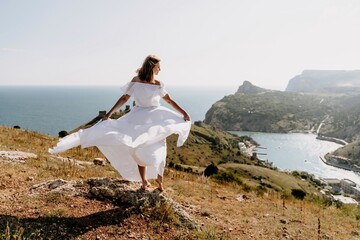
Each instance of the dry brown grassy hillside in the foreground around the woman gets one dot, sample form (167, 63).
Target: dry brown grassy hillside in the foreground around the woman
(243, 202)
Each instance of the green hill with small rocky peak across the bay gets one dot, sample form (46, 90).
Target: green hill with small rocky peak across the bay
(256, 109)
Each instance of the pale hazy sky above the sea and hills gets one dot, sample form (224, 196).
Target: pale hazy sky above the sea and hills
(200, 42)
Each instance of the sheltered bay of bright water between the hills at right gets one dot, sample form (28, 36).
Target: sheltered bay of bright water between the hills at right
(298, 151)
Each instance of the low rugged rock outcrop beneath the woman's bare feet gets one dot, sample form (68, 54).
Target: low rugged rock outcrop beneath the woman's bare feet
(119, 192)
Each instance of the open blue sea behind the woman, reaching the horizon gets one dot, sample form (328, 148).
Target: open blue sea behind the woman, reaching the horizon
(50, 110)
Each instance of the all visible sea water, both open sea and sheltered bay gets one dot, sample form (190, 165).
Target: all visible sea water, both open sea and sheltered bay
(51, 109)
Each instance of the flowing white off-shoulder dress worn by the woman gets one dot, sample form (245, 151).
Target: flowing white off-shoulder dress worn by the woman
(138, 137)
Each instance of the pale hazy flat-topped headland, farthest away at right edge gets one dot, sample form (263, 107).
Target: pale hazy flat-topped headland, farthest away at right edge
(326, 81)
